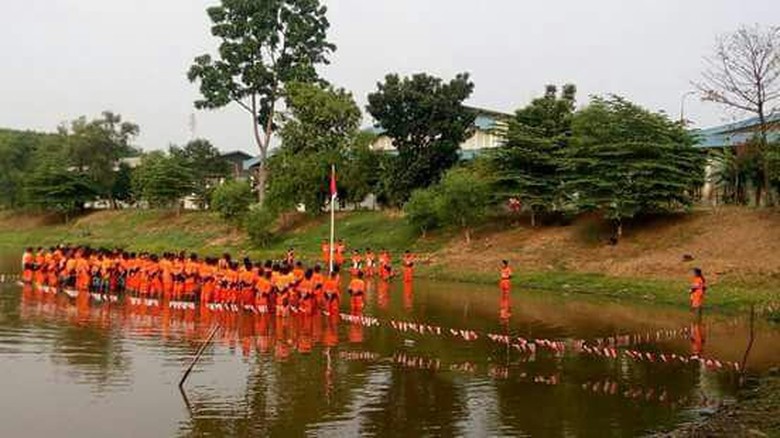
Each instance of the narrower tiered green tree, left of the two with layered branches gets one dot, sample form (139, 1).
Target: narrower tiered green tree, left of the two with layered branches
(530, 162)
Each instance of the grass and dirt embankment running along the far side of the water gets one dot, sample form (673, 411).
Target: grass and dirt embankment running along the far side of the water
(738, 248)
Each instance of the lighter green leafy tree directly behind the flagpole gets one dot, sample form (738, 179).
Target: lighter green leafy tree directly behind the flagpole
(319, 131)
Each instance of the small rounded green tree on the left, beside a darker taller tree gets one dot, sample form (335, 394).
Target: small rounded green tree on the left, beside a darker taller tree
(162, 180)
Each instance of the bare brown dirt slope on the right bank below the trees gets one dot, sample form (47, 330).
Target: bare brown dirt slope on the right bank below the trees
(732, 242)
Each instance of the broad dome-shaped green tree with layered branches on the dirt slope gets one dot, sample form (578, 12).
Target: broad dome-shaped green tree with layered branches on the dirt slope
(625, 160)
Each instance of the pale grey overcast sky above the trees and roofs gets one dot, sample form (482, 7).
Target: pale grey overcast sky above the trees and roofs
(66, 58)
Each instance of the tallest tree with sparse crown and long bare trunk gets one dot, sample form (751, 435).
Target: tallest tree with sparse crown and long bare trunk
(264, 45)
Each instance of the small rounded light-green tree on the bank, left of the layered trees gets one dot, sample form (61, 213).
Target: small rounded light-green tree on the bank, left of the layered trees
(463, 198)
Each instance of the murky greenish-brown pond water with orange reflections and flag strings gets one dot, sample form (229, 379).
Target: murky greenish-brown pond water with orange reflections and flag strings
(79, 367)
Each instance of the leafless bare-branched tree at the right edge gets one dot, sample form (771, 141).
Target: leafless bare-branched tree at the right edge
(744, 74)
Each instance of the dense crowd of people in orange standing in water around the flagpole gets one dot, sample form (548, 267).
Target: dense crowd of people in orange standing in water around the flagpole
(282, 286)
